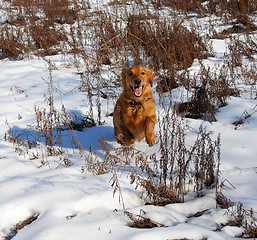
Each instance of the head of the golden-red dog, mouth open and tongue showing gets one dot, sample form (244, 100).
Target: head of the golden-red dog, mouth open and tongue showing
(136, 81)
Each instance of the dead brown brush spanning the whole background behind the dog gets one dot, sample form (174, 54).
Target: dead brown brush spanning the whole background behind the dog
(167, 45)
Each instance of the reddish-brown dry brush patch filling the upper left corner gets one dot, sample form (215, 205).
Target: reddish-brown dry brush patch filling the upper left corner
(36, 27)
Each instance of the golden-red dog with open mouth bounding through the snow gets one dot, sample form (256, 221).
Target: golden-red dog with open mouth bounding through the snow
(134, 114)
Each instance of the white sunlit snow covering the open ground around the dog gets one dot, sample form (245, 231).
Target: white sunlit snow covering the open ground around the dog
(72, 204)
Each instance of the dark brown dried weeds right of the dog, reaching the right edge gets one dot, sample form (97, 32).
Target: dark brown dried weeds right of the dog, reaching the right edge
(212, 87)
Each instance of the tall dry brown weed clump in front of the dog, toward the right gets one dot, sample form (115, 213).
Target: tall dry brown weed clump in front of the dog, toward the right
(166, 177)
